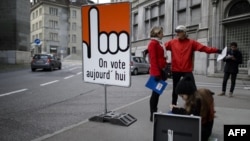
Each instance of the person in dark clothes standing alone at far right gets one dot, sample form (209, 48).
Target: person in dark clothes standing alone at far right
(231, 68)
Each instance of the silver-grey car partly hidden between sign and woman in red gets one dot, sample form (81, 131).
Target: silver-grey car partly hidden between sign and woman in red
(139, 65)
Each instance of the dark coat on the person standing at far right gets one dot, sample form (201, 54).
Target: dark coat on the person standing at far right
(232, 66)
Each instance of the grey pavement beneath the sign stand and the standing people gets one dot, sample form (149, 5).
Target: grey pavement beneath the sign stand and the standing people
(234, 110)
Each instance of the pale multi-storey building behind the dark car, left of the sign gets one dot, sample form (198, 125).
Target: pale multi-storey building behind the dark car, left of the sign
(57, 24)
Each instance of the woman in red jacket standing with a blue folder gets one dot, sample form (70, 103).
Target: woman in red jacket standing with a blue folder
(157, 64)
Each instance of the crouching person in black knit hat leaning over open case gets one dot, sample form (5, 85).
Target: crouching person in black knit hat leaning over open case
(198, 102)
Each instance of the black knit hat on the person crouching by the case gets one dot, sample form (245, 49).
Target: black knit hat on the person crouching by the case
(185, 86)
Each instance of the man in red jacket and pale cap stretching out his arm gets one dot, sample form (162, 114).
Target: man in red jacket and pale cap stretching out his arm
(182, 52)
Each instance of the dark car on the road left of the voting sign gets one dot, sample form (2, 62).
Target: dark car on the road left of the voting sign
(45, 61)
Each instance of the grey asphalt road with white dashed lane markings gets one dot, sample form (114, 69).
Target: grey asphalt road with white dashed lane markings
(33, 104)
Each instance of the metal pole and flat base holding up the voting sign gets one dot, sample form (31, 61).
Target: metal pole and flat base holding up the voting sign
(122, 119)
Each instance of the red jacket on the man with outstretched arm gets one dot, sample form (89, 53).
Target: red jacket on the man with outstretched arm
(182, 53)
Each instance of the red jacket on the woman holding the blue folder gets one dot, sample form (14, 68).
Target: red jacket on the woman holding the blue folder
(156, 57)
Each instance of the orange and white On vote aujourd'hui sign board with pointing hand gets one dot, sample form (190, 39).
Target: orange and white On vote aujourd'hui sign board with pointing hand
(106, 44)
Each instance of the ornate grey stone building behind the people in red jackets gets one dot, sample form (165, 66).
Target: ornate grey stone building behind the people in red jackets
(214, 23)
